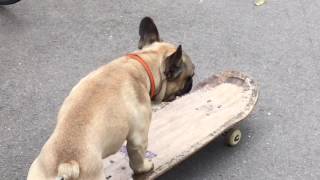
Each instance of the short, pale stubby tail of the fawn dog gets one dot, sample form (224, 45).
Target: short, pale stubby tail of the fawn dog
(70, 170)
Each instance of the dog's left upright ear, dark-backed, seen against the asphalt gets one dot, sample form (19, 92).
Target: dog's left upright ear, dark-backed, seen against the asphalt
(148, 32)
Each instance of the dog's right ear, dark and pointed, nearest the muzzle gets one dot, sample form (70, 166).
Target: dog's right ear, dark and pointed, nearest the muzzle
(173, 64)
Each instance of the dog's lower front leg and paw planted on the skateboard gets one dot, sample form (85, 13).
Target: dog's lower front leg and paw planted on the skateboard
(137, 144)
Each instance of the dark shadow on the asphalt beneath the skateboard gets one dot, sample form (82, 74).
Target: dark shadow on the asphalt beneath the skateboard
(212, 158)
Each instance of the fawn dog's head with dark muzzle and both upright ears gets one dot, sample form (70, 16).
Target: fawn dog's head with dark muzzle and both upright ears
(177, 66)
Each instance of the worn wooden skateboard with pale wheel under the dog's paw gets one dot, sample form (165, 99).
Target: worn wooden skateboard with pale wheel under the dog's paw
(180, 128)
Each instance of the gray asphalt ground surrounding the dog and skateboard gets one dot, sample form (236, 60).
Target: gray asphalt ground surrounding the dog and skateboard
(47, 46)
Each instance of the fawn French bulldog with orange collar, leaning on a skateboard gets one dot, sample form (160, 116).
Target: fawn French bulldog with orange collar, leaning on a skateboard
(112, 105)
